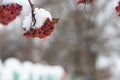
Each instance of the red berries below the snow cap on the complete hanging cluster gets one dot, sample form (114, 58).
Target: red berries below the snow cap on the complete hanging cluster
(43, 31)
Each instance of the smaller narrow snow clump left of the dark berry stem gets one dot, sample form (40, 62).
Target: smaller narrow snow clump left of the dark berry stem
(27, 22)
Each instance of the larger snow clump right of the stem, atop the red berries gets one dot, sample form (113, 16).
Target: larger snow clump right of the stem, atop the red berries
(41, 15)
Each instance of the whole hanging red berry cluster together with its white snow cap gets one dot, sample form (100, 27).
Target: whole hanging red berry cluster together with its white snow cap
(41, 27)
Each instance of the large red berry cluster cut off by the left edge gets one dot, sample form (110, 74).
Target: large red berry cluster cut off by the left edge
(9, 12)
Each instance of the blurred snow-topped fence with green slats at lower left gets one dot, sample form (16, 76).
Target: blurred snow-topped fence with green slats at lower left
(13, 69)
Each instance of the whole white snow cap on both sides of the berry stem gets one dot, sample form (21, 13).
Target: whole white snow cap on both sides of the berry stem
(40, 15)
